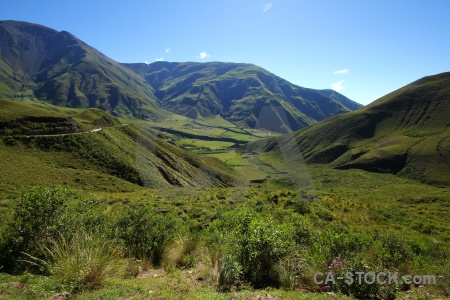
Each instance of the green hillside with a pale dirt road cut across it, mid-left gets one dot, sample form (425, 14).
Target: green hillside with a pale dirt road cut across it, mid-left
(91, 149)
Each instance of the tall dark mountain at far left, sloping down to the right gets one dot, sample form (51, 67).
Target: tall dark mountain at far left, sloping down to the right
(59, 68)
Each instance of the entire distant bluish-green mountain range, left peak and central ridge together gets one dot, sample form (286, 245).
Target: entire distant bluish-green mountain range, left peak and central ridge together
(36, 61)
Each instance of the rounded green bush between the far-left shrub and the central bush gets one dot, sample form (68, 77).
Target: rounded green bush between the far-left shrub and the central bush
(144, 233)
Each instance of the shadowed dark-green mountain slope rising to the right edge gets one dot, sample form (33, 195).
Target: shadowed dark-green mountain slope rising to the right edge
(406, 132)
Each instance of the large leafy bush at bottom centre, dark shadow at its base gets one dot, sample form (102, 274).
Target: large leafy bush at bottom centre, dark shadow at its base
(248, 246)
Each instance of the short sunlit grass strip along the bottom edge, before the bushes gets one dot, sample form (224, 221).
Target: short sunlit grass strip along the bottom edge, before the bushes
(175, 285)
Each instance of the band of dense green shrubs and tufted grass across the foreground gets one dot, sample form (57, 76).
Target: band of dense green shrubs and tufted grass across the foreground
(57, 240)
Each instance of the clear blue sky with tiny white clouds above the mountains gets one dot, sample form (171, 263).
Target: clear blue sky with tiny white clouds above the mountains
(362, 48)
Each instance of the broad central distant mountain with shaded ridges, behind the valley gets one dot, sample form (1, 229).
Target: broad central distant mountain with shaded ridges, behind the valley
(241, 93)
